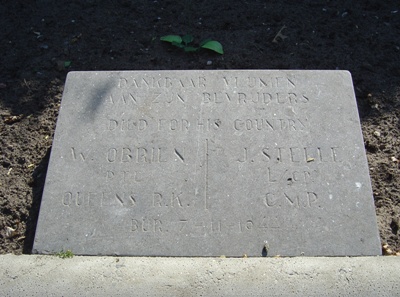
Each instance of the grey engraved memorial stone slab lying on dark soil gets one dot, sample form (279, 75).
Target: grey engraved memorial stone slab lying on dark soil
(208, 163)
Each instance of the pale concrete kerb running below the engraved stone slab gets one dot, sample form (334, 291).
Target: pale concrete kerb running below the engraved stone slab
(38, 275)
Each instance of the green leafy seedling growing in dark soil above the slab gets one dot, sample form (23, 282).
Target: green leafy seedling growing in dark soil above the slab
(186, 43)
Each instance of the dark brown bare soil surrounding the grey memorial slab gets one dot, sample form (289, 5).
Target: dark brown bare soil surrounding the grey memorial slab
(42, 40)
